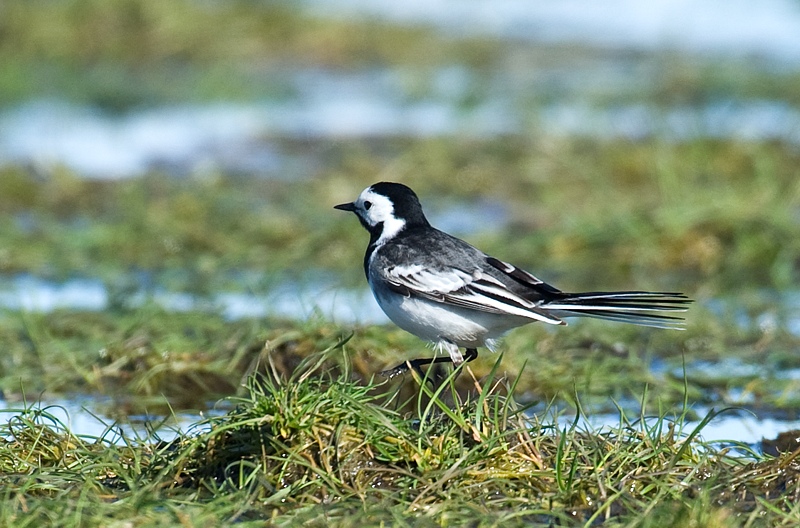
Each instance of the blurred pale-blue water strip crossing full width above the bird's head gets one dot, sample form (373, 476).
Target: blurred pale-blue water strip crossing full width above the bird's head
(242, 138)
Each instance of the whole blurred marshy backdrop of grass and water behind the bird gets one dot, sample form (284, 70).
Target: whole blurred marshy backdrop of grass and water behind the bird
(167, 172)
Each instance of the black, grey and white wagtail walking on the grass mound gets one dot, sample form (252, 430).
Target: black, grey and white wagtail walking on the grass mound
(446, 291)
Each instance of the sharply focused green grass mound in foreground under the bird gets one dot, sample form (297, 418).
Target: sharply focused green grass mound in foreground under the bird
(322, 448)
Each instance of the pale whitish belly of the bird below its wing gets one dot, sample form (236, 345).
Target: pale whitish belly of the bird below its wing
(434, 321)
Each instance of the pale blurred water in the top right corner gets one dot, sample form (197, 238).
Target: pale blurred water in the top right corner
(768, 28)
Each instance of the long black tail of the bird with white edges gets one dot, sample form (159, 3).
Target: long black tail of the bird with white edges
(654, 309)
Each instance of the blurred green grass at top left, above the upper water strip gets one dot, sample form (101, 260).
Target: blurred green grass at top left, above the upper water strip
(120, 54)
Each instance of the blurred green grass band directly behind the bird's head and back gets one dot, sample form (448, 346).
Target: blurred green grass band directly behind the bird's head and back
(703, 216)
